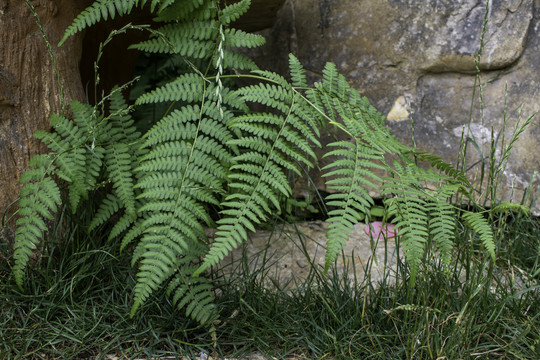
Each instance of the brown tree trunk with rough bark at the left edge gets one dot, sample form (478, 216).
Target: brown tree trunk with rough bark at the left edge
(29, 87)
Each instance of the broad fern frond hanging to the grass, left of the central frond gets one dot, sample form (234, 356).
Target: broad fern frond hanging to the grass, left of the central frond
(183, 170)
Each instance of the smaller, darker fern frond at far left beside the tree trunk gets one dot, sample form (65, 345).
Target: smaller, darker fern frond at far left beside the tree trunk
(81, 150)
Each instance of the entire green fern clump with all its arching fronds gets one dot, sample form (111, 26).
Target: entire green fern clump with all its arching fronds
(210, 150)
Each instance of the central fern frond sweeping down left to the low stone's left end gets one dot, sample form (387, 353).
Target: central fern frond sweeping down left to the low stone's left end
(271, 144)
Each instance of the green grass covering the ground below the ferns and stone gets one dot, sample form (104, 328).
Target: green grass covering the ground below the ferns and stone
(76, 305)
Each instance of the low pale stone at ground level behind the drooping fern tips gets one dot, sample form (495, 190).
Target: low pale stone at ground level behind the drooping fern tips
(288, 252)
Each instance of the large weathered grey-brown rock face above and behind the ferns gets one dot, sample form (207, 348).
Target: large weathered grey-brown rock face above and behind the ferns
(416, 60)
